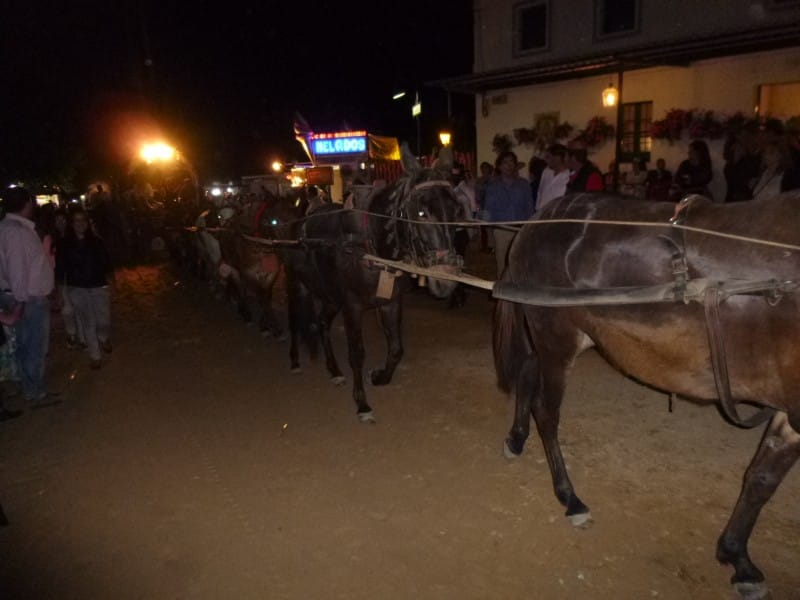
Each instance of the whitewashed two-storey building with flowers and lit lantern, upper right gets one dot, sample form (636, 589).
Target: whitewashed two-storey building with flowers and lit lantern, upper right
(543, 63)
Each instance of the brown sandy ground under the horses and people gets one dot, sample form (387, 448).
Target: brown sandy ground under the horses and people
(194, 465)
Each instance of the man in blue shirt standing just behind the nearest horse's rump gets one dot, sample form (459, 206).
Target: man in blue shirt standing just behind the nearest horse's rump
(508, 198)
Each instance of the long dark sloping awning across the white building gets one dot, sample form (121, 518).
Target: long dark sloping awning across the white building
(673, 53)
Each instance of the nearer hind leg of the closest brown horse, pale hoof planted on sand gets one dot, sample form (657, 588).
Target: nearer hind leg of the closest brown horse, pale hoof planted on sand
(546, 409)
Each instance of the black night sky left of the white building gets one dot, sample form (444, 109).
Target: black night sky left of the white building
(221, 80)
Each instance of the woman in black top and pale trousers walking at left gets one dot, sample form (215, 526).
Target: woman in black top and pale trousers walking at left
(83, 266)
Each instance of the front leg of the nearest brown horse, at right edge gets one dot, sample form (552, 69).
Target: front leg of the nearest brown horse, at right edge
(778, 451)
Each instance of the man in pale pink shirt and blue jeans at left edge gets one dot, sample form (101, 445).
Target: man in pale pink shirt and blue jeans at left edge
(27, 273)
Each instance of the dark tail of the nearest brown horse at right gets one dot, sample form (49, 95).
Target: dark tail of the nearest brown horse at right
(510, 345)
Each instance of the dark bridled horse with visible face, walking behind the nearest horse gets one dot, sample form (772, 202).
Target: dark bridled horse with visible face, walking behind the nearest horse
(406, 221)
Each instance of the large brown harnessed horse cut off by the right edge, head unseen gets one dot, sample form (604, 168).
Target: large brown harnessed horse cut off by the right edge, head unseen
(569, 286)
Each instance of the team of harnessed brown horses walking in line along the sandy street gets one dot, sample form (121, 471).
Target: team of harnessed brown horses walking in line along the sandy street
(658, 292)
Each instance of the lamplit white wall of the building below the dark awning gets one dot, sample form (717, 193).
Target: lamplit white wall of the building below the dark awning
(723, 85)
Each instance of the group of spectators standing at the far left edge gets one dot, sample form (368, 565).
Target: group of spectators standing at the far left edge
(50, 260)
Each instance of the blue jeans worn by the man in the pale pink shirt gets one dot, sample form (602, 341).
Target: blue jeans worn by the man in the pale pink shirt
(33, 339)
